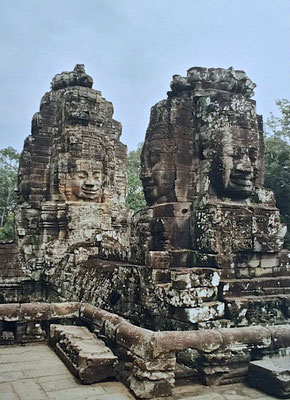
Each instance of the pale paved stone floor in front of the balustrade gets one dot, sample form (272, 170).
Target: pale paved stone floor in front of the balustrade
(34, 372)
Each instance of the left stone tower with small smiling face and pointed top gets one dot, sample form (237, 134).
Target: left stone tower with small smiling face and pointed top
(72, 178)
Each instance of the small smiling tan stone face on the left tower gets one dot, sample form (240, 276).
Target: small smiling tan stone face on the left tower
(86, 181)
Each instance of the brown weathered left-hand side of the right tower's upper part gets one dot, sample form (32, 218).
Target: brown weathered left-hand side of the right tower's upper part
(169, 153)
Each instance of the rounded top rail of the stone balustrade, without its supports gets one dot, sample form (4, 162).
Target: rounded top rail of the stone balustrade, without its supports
(132, 337)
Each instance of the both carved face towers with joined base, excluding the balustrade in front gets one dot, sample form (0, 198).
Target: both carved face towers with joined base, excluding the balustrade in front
(204, 253)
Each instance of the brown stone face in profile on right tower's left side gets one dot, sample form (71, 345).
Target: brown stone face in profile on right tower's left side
(157, 173)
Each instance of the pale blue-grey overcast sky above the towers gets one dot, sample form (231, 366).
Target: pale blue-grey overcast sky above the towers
(132, 48)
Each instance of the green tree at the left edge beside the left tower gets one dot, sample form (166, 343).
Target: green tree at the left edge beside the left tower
(9, 159)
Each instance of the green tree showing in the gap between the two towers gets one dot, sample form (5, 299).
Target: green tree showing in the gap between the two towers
(135, 196)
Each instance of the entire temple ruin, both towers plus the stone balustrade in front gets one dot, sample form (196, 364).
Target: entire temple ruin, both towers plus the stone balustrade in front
(197, 279)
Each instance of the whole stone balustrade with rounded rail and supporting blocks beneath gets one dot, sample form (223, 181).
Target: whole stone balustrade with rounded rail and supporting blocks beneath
(147, 359)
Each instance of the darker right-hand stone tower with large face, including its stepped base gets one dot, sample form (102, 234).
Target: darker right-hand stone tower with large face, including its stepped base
(202, 173)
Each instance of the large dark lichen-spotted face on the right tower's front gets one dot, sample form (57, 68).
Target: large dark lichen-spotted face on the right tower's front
(234, 164)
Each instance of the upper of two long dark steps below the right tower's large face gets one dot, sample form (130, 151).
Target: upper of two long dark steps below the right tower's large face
(255, 286)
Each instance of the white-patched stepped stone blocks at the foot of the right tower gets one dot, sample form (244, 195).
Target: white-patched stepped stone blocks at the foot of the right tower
(200, 295)
